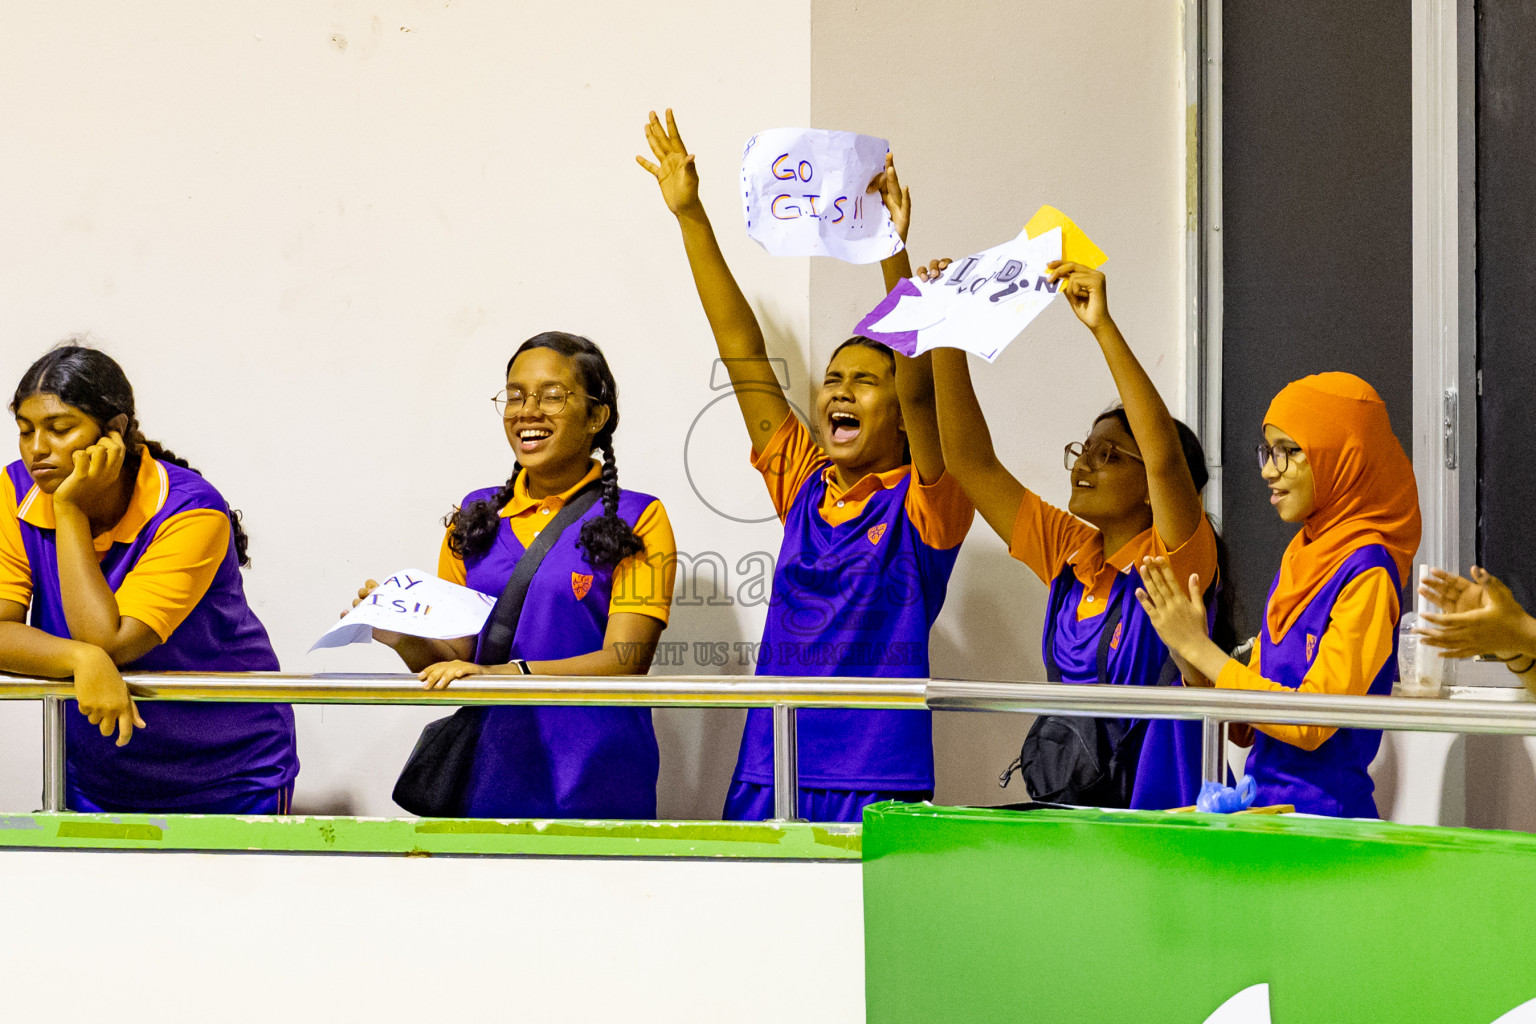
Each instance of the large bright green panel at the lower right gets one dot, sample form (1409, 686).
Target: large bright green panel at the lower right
(1091, 916)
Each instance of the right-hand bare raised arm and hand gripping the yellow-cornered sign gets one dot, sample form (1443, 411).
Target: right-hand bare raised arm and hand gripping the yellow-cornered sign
(1176, 503)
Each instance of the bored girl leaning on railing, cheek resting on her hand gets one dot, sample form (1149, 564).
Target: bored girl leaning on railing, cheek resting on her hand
(118, 553)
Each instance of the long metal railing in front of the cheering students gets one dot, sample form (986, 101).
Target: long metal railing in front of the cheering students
(1462, 710)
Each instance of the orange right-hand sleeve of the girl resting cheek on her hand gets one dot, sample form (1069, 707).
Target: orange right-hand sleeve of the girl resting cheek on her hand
(176, 570)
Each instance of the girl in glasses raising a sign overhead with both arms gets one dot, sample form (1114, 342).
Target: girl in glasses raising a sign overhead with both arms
(1136, 492)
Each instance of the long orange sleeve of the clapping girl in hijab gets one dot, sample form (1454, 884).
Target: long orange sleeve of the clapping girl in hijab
(1351, 653)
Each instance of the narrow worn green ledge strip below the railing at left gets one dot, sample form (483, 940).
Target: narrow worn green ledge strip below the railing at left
(795, 841)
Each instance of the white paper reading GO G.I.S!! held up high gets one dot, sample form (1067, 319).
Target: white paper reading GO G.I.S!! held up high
(804, 196)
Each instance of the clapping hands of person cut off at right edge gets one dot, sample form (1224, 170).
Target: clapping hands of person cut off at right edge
(1481, 618)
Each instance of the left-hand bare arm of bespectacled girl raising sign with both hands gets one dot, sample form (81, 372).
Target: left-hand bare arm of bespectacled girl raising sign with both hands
(968, 444)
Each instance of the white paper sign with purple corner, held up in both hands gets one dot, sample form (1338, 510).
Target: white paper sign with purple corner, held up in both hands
(981, 303)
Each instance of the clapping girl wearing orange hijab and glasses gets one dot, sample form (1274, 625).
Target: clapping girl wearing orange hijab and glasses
(1331, 626)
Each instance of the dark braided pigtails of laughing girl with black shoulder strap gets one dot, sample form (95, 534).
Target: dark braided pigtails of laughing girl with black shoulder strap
(607, 540)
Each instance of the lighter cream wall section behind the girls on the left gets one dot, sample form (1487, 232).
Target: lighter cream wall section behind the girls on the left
(314, 234)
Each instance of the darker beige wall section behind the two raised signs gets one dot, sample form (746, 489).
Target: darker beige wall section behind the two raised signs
(995, 108)
